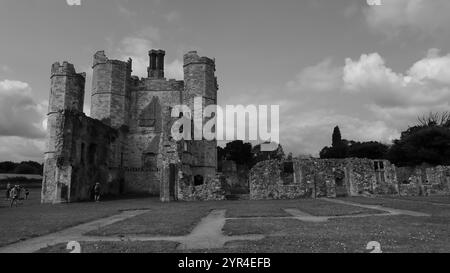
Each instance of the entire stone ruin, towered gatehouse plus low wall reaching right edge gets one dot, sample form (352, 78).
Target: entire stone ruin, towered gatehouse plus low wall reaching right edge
(127, 147)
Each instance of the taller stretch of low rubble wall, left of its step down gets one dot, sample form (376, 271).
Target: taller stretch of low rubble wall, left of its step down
(321, 178)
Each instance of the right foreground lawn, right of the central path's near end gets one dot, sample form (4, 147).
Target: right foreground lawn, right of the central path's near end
(394, 233)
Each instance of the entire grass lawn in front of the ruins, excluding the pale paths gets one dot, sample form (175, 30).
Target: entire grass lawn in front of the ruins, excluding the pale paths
(395, 233)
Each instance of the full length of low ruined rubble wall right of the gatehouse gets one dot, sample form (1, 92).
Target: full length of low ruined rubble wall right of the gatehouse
(314, 178)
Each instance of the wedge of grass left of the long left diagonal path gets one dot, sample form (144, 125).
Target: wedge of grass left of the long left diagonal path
(32, 219)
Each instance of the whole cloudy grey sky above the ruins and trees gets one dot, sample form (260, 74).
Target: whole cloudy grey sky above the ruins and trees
(369, 69)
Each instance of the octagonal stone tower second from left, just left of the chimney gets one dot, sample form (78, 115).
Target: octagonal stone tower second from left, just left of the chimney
(110, 90)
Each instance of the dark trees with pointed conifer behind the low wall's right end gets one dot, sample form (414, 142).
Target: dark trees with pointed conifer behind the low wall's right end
(427, 142)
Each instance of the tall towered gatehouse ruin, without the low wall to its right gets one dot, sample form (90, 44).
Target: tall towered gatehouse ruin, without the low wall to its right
(126, 144)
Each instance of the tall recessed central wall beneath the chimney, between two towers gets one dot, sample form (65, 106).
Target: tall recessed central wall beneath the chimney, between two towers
(145, 140)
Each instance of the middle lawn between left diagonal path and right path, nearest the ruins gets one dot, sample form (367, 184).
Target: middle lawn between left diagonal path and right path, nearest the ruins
(179, 218)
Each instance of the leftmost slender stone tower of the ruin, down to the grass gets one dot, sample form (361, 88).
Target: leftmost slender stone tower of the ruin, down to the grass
(66, 94)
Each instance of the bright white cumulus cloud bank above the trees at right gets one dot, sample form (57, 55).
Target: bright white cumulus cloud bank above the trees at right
(364, 96)
